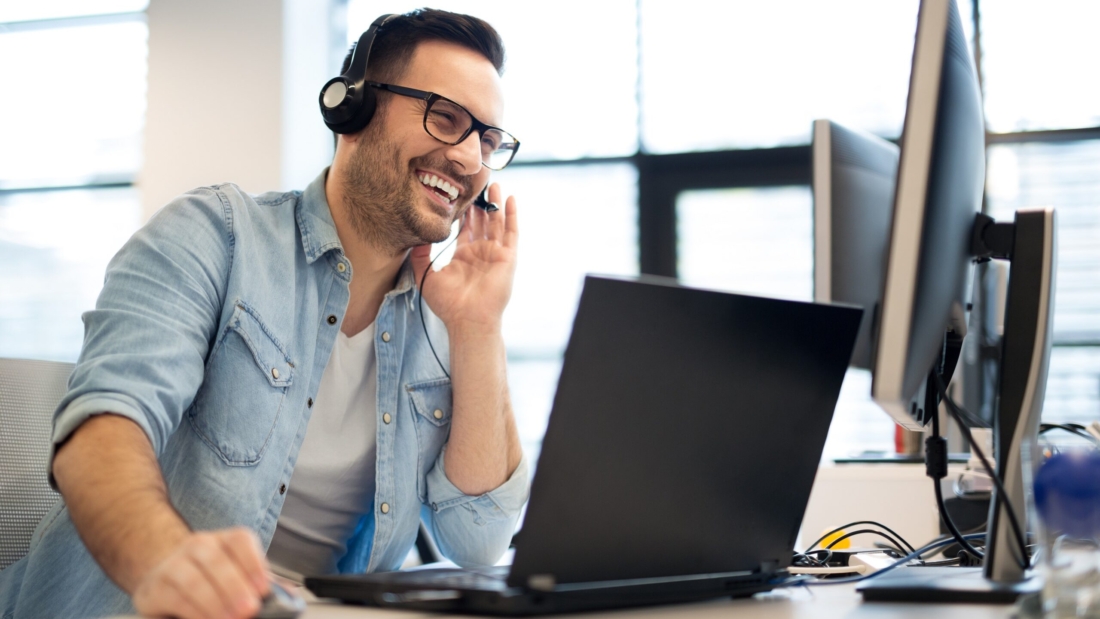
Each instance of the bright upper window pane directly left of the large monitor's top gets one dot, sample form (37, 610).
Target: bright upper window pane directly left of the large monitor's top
(743, 75)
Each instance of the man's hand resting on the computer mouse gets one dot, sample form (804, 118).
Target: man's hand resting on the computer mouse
(211, 574)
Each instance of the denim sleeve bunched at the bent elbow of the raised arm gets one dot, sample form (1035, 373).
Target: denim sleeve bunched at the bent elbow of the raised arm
(475, 530)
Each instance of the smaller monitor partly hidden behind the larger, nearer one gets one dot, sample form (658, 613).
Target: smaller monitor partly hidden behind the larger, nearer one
(854, 176)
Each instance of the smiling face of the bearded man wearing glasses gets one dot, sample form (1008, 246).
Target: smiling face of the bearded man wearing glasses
(395, 163)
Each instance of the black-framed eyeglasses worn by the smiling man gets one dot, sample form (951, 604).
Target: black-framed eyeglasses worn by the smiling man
(452, 124)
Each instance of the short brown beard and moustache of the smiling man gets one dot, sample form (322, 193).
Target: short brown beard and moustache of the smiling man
(381, 200)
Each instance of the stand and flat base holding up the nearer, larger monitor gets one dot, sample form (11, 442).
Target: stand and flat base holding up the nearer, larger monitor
(1030, 245)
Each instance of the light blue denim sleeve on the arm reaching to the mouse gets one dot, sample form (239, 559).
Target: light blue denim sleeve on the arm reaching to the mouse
(147, 341)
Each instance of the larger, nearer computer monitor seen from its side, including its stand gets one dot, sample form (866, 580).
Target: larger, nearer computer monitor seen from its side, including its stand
(937, 235)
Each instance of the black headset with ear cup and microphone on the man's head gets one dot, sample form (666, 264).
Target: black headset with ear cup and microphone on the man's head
(348, 104)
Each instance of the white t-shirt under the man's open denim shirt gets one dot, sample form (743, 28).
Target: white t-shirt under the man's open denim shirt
(333, 484)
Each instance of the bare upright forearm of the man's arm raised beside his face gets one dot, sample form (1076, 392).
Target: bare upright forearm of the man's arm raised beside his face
(483, 450)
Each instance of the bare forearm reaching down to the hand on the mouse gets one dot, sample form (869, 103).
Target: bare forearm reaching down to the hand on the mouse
(115, 492)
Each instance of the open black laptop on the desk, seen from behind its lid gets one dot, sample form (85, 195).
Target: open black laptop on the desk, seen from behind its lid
(677, 466)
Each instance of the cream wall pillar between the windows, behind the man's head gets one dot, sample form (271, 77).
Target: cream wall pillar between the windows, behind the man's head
(233, 95)
